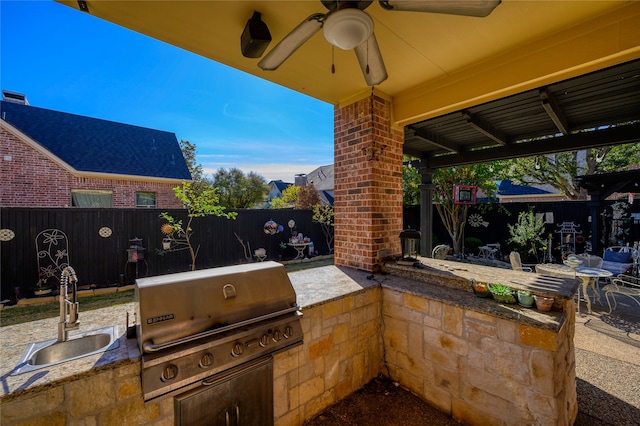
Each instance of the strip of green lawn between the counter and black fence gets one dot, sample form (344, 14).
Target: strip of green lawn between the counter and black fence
(20, 314)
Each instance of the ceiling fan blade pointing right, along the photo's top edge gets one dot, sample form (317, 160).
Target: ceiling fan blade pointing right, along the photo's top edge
(478, 8)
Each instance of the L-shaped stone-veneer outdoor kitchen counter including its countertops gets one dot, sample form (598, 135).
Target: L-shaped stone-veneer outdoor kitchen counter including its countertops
(427, 314)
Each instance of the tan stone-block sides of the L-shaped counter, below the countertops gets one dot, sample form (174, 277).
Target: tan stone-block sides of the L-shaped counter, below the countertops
(477, 367)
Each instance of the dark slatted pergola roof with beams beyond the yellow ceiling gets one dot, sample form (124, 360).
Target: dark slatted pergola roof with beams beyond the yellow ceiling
(578, 113)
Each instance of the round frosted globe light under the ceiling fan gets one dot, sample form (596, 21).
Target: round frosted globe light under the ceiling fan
(347, 28)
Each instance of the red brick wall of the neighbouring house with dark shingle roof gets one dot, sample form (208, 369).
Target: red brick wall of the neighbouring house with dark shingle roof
(30, 179)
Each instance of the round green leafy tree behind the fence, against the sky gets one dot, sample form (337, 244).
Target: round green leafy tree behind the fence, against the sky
(238, 191)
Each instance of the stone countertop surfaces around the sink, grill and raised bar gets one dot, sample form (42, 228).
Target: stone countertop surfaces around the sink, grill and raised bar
(313, 287)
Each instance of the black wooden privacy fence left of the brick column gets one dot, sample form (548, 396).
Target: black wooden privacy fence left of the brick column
(99, 239)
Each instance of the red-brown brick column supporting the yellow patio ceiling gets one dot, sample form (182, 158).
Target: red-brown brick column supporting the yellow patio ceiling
(368, 183)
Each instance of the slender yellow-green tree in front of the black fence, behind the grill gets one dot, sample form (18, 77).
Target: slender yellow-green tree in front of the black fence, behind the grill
(198, 203)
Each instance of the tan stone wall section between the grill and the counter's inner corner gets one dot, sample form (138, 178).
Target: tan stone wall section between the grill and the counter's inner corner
(341, 353)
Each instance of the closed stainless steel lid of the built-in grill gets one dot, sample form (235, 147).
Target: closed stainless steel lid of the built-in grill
(174, 307)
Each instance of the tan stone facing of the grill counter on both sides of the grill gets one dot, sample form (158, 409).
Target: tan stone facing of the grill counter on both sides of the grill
(340, 354)
